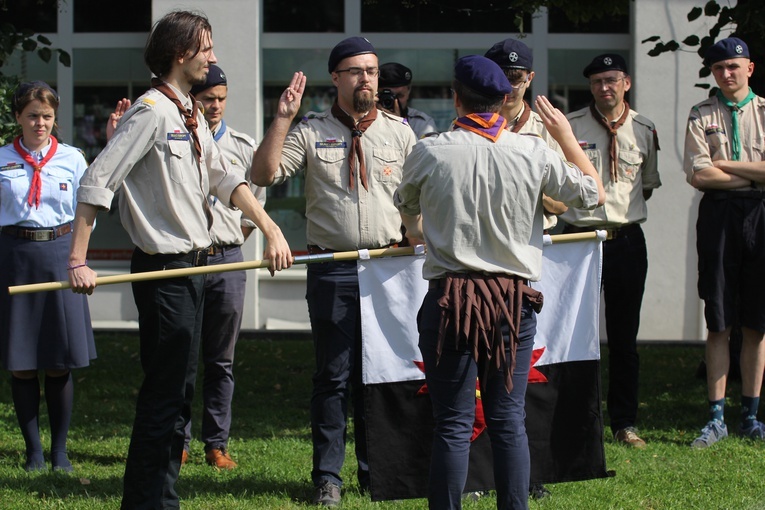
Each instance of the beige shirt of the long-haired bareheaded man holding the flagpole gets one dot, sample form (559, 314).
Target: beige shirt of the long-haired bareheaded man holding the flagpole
(151, 156)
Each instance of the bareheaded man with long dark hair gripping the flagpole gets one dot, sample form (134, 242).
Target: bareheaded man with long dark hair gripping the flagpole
(165, 160)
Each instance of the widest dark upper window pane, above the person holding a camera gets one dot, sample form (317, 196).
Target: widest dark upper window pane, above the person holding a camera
(442, 16)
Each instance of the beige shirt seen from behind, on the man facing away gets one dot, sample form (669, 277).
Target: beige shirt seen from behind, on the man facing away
(481, 202)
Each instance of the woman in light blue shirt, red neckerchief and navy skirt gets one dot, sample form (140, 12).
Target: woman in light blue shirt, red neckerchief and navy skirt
(47, 331)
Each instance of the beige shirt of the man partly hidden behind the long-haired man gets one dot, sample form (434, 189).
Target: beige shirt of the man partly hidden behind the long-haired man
(238, 149)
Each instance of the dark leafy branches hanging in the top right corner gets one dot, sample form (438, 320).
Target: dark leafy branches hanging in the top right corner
(745, 20)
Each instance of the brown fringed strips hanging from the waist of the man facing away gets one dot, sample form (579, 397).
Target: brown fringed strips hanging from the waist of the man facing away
(473, 306)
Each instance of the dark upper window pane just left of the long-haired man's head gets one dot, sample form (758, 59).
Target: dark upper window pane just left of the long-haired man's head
(104, 16)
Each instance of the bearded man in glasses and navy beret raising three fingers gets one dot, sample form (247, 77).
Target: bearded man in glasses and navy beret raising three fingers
(352, 156)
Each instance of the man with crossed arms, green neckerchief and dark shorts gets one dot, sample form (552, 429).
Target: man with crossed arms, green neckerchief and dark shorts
(724, 159)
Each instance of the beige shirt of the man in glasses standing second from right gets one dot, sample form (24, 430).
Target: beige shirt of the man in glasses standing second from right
(637, 169)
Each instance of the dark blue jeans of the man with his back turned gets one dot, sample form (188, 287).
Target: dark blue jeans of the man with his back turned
(452, 389)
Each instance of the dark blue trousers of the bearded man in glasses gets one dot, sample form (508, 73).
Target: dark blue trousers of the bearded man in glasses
(334, 309)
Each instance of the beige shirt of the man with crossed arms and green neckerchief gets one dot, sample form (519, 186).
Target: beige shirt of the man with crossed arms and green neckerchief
(708, 137)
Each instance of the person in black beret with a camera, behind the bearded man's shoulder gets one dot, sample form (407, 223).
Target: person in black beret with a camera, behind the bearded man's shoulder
(397, 79)
